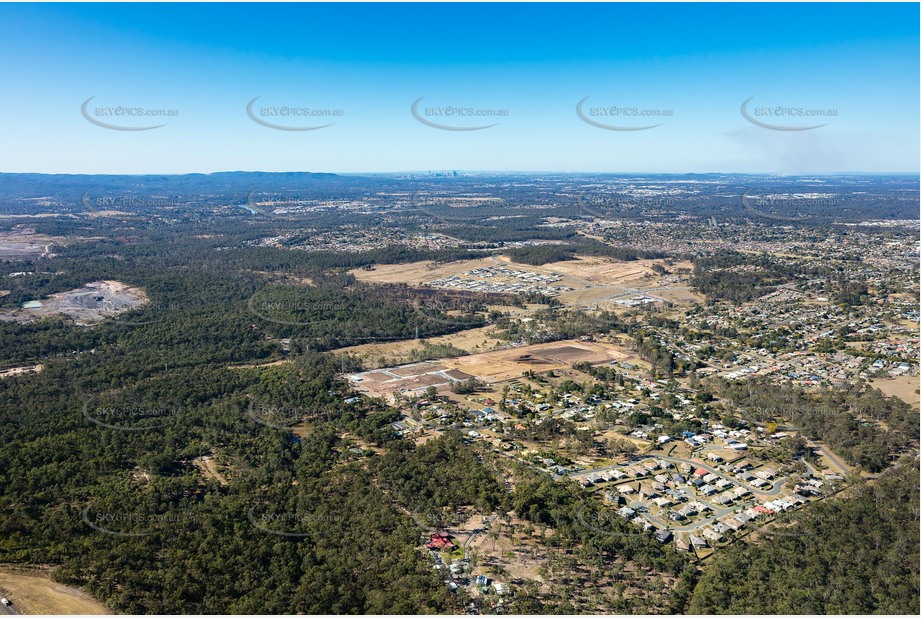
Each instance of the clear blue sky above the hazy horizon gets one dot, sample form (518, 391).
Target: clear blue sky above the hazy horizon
(693, 65)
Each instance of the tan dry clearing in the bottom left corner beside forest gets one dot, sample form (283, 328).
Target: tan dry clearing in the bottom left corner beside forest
(32, 592)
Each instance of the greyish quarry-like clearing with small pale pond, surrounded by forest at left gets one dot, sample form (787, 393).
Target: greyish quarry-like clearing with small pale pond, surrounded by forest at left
(88, 305)
